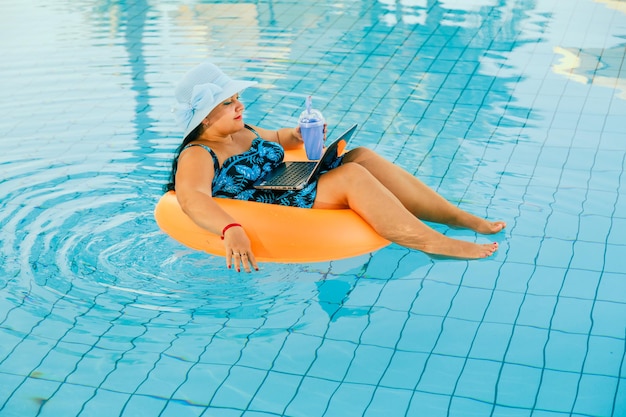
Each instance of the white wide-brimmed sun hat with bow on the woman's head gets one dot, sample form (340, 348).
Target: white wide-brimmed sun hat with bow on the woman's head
(200, 91)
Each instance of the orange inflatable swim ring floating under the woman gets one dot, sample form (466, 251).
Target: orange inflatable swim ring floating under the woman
(277, 233)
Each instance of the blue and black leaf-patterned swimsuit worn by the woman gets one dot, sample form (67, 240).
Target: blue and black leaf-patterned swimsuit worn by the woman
(236, 177)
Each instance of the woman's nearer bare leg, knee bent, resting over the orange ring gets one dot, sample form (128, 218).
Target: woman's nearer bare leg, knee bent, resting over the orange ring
(351, 185)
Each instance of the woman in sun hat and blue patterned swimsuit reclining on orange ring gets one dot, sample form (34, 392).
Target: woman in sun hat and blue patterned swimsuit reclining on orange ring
(222, 157)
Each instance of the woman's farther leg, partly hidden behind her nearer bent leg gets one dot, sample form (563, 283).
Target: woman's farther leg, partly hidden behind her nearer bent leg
(417, 197)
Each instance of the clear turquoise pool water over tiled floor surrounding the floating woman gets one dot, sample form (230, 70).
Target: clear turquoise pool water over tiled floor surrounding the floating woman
(512, 109)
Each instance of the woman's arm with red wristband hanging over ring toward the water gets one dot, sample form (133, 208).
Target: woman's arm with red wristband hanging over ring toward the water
(194, 177)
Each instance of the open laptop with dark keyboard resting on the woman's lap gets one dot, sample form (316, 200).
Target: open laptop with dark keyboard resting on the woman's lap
(295, 175)
